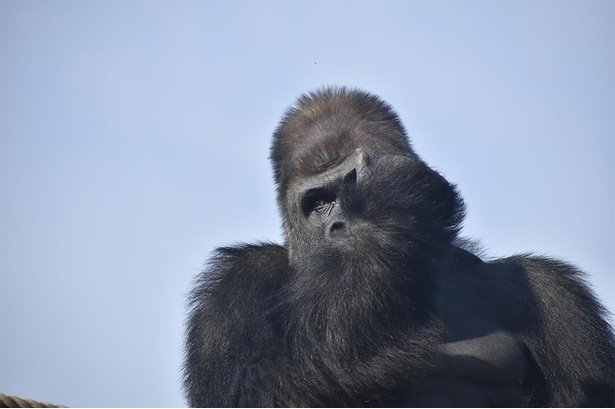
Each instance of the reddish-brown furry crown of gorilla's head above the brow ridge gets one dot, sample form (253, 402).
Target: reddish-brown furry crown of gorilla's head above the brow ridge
(327, 126)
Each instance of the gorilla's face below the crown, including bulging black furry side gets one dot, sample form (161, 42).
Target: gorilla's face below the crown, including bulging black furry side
(364, 208)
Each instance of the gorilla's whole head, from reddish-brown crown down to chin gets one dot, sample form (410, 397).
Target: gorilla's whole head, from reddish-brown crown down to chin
(350, 186)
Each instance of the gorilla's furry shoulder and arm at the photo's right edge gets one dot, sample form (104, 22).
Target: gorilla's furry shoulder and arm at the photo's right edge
(565, 331)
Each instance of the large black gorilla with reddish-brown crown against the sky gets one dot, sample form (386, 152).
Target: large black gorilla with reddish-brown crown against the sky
(373, 300)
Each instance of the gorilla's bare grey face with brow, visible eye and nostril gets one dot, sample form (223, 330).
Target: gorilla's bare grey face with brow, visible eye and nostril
(336, 210)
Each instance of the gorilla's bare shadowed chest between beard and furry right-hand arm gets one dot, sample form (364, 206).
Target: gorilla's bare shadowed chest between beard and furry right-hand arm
(480, 363)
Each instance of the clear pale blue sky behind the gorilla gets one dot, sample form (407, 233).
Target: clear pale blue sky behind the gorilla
(135, 136)
